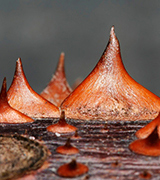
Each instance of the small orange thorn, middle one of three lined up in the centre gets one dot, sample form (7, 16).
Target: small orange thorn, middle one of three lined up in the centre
(67, 148)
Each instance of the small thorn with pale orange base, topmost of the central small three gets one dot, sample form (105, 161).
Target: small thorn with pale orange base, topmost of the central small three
(61, 126)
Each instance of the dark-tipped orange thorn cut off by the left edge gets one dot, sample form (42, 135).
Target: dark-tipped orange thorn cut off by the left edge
(7, 113)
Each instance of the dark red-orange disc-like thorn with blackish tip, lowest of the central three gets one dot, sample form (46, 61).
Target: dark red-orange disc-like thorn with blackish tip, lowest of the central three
(72, 169)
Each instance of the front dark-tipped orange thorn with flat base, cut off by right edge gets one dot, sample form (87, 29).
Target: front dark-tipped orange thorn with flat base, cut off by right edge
(149, 146)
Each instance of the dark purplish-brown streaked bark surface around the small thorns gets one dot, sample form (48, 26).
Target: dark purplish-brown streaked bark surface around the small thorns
(106, 152)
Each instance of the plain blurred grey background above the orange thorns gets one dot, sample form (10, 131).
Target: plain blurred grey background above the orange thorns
(39, 30)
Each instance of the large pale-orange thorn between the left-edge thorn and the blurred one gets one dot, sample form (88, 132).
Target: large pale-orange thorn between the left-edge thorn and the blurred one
(23, 98)
